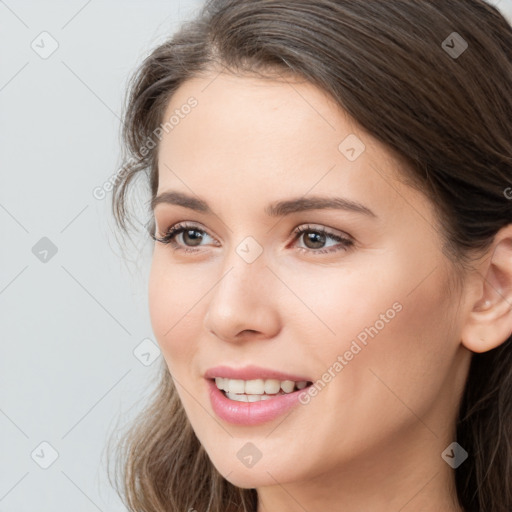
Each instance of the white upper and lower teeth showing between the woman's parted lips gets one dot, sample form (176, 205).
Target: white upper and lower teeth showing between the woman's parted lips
(257, 390)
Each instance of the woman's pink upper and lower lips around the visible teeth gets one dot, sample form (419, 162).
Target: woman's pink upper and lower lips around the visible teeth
(250, 413)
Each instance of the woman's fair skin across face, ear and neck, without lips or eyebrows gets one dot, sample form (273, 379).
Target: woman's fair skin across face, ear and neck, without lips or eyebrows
(372, 438)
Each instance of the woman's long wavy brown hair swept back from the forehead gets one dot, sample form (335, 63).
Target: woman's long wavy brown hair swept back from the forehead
(447, 117)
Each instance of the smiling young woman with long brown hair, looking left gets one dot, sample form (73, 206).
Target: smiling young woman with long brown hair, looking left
(331, 282)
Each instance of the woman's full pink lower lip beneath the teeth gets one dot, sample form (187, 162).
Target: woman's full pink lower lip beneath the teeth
(250, 413)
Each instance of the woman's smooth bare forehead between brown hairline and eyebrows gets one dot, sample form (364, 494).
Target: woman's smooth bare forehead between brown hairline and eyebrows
(250, 137)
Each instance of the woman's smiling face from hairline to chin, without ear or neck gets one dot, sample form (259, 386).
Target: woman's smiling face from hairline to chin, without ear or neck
(358, 303)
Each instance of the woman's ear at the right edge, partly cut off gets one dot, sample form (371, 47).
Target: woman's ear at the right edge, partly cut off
(489, 323)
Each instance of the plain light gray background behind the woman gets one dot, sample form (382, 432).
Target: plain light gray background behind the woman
(70, 325)
